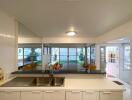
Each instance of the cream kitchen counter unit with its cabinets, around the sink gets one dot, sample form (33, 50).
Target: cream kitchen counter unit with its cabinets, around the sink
(74, 88)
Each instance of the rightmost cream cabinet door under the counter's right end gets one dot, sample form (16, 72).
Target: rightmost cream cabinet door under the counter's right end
(111, 95)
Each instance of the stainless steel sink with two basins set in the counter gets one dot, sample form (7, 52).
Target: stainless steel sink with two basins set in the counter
(48, 81)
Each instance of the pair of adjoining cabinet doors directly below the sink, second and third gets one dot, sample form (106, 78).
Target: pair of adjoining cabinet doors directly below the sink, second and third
(43, 95)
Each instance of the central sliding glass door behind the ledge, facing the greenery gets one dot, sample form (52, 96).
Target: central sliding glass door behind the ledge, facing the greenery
(67, 57)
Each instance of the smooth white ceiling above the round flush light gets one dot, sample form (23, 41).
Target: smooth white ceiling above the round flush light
(52, 18)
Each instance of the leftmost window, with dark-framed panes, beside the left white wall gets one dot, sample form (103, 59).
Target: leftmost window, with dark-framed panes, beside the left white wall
(29, 55)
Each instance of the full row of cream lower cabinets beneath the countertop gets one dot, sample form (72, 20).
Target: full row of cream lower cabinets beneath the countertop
(60, 95)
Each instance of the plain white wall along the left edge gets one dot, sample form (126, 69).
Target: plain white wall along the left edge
(8, 40)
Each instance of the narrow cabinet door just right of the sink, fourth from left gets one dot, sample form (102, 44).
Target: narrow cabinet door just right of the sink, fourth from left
(74, 95)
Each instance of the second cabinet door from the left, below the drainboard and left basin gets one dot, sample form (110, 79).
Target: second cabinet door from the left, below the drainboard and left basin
(31, 95)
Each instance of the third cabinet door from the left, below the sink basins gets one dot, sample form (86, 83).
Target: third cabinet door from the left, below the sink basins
(54, 95)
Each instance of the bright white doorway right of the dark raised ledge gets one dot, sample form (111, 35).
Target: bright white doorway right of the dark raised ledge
(109, 60)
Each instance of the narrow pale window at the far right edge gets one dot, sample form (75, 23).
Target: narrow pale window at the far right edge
(126, 57)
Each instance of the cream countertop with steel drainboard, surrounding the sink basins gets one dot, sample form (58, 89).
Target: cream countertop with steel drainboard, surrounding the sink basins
(98, 84)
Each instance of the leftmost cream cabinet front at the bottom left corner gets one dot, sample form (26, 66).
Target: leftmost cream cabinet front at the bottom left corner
(9, 95)
